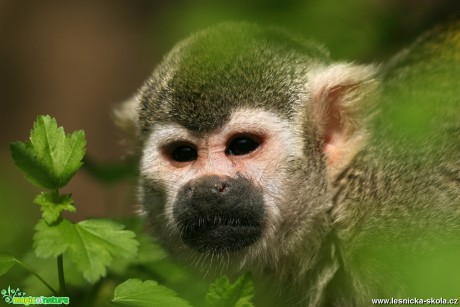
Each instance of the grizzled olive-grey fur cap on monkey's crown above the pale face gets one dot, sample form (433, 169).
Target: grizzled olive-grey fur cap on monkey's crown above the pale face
(229, 67)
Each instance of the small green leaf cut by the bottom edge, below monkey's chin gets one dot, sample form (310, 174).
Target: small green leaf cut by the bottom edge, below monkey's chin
(222, 293)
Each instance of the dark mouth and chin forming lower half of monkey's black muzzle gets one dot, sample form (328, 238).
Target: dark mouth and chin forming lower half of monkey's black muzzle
(220, 235)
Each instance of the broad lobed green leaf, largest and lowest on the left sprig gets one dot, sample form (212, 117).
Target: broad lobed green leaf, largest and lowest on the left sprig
(90, 245)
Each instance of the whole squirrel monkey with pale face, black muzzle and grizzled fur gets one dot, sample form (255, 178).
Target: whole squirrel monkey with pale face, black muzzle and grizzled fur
(324, 179)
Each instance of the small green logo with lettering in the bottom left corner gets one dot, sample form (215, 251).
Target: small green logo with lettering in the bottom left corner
(18, 297)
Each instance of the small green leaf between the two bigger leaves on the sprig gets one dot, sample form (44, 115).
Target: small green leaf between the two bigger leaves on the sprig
(52, 204)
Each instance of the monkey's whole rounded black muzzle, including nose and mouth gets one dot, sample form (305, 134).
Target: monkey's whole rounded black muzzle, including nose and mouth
(219, 214)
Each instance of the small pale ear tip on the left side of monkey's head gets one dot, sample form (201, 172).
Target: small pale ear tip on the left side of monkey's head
(125, 116)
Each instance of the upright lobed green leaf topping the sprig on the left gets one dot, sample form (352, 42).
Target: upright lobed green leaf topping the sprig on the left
(51, 157)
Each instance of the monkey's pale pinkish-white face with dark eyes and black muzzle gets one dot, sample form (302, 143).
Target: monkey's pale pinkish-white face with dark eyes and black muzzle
(219, 191)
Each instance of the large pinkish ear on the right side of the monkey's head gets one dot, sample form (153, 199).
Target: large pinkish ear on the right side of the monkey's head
(342, 101)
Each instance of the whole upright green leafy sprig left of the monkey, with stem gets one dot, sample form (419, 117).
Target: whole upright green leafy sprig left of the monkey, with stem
(49, 160)
